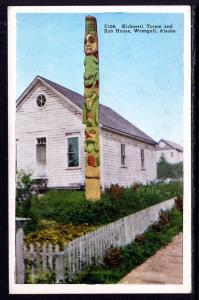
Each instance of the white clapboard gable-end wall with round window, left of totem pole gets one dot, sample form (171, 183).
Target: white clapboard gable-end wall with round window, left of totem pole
(55, 121)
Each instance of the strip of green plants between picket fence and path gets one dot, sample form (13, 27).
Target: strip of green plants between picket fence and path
(119, 261)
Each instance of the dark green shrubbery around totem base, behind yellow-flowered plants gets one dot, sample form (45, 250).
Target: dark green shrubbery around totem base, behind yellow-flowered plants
(66, 207)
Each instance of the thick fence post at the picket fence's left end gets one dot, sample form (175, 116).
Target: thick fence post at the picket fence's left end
(20, 268)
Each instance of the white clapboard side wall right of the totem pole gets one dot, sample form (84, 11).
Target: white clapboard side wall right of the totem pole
(114, 173)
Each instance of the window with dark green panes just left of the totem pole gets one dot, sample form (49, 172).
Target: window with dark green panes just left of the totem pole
(73, 151)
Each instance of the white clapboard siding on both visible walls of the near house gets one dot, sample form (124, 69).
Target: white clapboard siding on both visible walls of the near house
(57, 120)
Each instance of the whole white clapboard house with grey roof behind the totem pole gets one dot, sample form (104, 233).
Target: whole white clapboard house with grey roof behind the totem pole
(50, 140)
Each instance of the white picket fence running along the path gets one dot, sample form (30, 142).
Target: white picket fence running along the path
(90, 248)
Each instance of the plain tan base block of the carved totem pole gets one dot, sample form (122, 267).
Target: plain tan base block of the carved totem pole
(92, 187)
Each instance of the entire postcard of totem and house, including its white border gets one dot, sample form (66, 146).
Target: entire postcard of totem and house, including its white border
(99, 149)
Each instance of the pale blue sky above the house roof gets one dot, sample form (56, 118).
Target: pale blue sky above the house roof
(141, 74)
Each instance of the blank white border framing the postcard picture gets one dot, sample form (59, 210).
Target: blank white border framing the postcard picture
(115, 288)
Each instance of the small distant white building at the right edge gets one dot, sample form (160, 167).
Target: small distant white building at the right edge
(172, 152)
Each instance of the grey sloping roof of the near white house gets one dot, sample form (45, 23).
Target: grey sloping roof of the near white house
(109, 119)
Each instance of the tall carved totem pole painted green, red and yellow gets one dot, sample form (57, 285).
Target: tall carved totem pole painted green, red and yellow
(91, 110)
